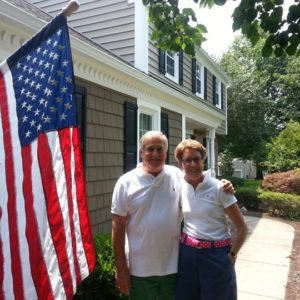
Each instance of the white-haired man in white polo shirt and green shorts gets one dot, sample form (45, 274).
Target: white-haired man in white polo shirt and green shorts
(146, 224)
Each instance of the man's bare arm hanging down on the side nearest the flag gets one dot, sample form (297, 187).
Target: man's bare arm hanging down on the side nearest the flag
(122, 276)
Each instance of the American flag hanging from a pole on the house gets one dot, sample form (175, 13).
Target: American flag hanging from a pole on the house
(46, 245)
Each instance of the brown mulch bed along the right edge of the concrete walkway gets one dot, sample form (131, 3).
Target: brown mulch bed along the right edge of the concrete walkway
(293, 285)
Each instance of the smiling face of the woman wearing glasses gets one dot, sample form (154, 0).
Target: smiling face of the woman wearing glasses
(192, 164)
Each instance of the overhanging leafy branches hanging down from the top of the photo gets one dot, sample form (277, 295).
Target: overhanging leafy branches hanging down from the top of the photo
(173, 30)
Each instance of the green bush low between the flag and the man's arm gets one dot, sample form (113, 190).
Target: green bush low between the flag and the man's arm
(99, 285)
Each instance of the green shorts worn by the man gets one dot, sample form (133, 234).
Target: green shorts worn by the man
(153, 287)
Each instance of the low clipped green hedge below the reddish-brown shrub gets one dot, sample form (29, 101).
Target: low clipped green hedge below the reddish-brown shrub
(280, 204)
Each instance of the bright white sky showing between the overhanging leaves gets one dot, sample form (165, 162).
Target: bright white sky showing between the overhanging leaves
(218, 23)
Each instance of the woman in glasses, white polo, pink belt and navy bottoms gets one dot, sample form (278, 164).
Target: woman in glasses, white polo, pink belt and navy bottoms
(207, 249)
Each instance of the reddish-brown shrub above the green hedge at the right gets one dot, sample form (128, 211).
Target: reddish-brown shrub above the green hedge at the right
(284, 182)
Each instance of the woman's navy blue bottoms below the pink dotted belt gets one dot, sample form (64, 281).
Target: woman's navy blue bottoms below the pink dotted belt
(205, 274)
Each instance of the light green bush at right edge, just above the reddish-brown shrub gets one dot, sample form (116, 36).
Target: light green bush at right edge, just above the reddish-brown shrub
(284, 150)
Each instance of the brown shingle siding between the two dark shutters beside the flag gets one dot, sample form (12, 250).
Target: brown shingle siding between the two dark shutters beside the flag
(104, 161)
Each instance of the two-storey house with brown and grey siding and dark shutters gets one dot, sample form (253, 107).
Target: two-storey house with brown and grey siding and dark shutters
(124, 87)
